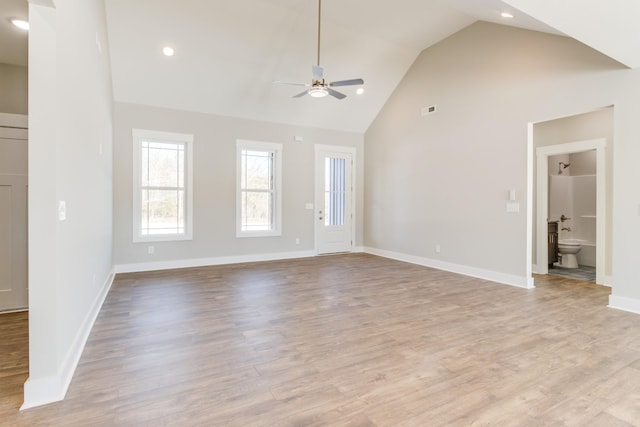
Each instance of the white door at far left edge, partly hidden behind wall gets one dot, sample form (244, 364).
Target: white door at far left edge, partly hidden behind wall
(13, 225)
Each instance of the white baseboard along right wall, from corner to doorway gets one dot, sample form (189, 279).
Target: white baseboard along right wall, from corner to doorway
(494, 276)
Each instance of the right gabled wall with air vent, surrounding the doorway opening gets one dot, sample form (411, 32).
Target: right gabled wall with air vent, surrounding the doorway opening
(443, 179)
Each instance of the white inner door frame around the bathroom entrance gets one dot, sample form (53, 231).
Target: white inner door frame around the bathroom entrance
(542, 199)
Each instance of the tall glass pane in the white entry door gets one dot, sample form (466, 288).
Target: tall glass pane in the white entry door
(334, 191)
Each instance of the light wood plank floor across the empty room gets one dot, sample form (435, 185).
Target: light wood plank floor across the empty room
(349, 340)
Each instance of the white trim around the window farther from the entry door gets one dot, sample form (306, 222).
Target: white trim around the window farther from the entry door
(187, 139)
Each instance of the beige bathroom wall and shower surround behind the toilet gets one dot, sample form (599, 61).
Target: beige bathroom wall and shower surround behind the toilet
(575, 196)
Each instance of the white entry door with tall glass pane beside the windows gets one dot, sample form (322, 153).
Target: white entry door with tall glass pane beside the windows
(334, 199)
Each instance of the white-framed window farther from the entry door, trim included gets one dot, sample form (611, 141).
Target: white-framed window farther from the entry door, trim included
(162, 194)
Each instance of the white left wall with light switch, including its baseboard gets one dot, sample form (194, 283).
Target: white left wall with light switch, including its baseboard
(70, 145)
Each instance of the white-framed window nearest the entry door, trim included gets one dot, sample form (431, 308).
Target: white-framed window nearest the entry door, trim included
(258, 189)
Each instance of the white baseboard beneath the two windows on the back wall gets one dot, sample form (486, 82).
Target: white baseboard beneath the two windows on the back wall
(203, 262)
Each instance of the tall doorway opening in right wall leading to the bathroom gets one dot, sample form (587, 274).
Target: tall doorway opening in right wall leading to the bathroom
(575, 154)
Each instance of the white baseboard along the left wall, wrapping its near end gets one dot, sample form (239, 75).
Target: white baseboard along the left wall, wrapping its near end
(41, 391)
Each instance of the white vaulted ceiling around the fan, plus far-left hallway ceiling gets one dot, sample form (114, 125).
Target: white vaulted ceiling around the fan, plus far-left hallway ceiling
(229, 52)
